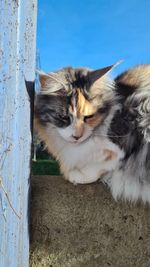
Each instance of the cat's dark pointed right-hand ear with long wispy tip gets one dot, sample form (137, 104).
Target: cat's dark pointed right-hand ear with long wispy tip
(95, 75)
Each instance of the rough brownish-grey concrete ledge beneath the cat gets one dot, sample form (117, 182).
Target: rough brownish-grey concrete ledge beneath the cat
(82, 226)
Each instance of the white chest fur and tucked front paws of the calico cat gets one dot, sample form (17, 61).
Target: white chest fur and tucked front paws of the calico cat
(84, 162)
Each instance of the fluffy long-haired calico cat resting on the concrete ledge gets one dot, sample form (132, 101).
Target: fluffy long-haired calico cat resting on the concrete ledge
(98, 128)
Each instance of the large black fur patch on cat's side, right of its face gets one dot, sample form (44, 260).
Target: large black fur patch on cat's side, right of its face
(125, 129)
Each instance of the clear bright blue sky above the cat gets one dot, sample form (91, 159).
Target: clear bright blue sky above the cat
(93, 33)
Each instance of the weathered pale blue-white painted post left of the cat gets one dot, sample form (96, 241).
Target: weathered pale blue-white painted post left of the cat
(17, 68)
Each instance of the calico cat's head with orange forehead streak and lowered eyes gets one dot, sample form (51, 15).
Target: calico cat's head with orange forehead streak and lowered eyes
(75, 101)
